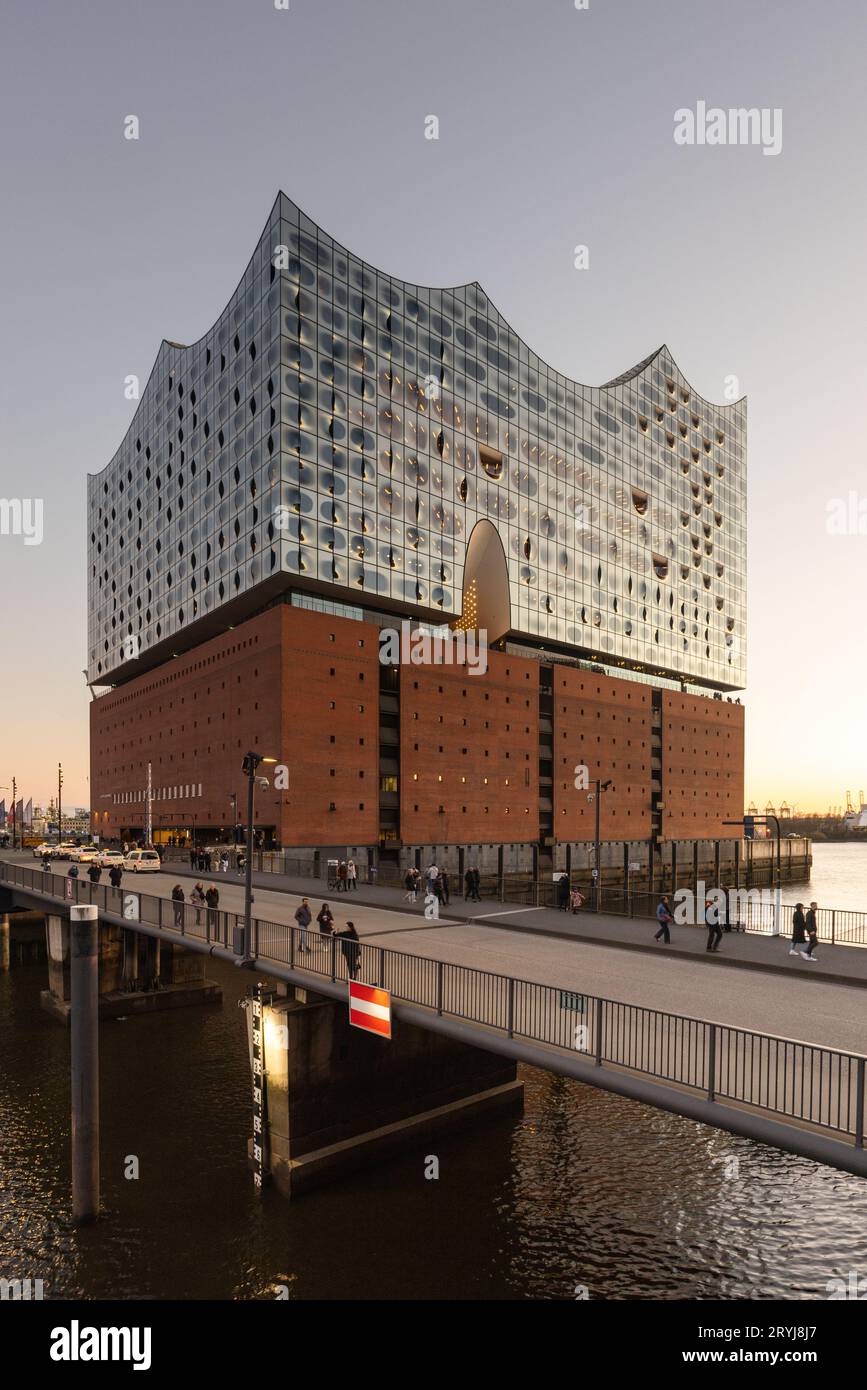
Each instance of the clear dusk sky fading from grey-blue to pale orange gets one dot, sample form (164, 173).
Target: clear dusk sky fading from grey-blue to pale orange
(556, 130)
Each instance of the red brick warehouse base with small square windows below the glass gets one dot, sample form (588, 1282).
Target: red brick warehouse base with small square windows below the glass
(406, 757)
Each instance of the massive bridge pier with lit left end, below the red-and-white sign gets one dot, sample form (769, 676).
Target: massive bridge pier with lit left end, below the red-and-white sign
(338, 1097)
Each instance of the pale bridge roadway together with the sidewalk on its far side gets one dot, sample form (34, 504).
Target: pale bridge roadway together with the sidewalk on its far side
(754, 983)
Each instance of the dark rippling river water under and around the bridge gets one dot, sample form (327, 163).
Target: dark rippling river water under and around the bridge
(584, 1191)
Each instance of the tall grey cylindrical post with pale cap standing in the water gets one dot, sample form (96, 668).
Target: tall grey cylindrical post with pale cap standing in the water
(84, 1053)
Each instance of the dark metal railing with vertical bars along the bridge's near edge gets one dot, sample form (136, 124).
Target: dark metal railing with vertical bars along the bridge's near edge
(800, 1082)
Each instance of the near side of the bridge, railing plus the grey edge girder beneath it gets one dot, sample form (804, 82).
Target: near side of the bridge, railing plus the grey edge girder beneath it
(801, 1097)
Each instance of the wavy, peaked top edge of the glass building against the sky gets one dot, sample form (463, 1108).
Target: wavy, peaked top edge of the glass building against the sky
(170, 345)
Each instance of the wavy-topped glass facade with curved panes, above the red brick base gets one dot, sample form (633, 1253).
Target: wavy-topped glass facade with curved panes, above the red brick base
(345, 429)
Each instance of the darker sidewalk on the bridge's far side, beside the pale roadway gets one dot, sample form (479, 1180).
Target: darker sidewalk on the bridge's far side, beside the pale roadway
(751, 951)
